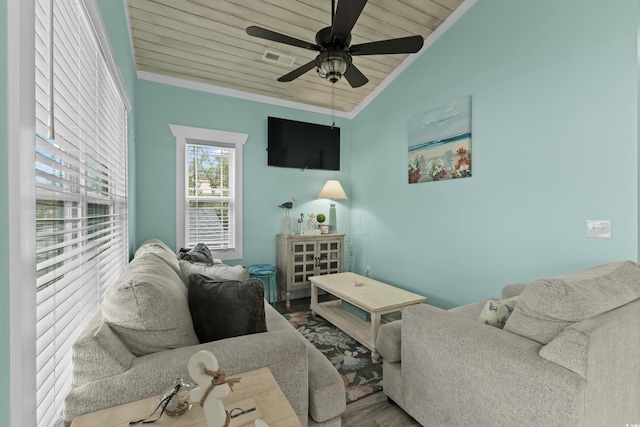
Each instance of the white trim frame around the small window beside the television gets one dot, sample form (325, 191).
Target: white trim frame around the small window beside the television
(182, 135)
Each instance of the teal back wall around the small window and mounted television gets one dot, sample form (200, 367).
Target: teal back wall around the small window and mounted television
(158, 105)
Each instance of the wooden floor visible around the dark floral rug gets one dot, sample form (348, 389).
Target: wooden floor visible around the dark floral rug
(371, 411)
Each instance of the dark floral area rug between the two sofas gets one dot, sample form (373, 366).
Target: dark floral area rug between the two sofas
(360, 374)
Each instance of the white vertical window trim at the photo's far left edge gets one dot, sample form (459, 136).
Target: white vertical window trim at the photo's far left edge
(22, 228)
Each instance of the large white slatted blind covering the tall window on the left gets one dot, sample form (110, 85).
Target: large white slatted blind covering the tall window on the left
(81, 190)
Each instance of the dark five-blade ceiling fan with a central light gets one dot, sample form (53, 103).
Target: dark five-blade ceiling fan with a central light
(335, 57)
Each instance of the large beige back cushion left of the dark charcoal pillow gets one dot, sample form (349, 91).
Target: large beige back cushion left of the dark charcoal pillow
(147, 307)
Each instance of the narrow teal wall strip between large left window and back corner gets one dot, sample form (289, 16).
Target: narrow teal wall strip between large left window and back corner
(115, 21)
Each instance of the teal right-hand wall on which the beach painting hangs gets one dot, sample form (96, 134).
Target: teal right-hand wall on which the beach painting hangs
(555, 136)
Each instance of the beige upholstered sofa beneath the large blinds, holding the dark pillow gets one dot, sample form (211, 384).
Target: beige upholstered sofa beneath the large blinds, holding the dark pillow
(141, 338)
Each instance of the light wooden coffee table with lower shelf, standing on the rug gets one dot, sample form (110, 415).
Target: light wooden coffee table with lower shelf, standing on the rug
(376, 298)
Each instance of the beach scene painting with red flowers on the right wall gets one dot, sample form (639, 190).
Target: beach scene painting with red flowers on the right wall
(440, 143)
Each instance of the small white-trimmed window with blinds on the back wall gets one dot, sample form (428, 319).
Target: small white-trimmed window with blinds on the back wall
(209, 188)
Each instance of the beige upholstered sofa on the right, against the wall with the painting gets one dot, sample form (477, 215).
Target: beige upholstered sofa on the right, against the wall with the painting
(569, 355)
